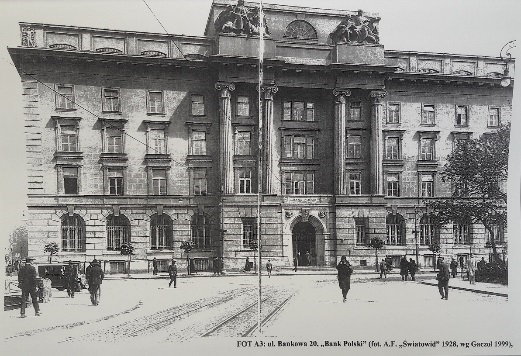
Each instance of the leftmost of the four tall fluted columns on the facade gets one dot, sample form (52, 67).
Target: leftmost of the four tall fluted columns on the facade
(226, 135)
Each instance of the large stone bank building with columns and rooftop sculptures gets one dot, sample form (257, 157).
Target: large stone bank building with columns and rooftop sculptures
(152, 139)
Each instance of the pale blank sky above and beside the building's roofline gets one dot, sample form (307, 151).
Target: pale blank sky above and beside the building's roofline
(455, 26)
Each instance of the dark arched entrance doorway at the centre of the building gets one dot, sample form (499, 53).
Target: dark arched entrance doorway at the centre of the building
(304, 244)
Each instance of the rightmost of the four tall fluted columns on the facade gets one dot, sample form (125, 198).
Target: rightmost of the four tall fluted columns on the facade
(377, 116)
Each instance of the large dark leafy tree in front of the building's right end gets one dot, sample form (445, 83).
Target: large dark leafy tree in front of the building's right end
(478, 170)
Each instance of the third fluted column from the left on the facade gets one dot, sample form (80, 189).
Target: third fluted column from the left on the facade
(340, 138)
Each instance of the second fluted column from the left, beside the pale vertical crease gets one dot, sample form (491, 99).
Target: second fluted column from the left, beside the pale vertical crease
(269, 137)
